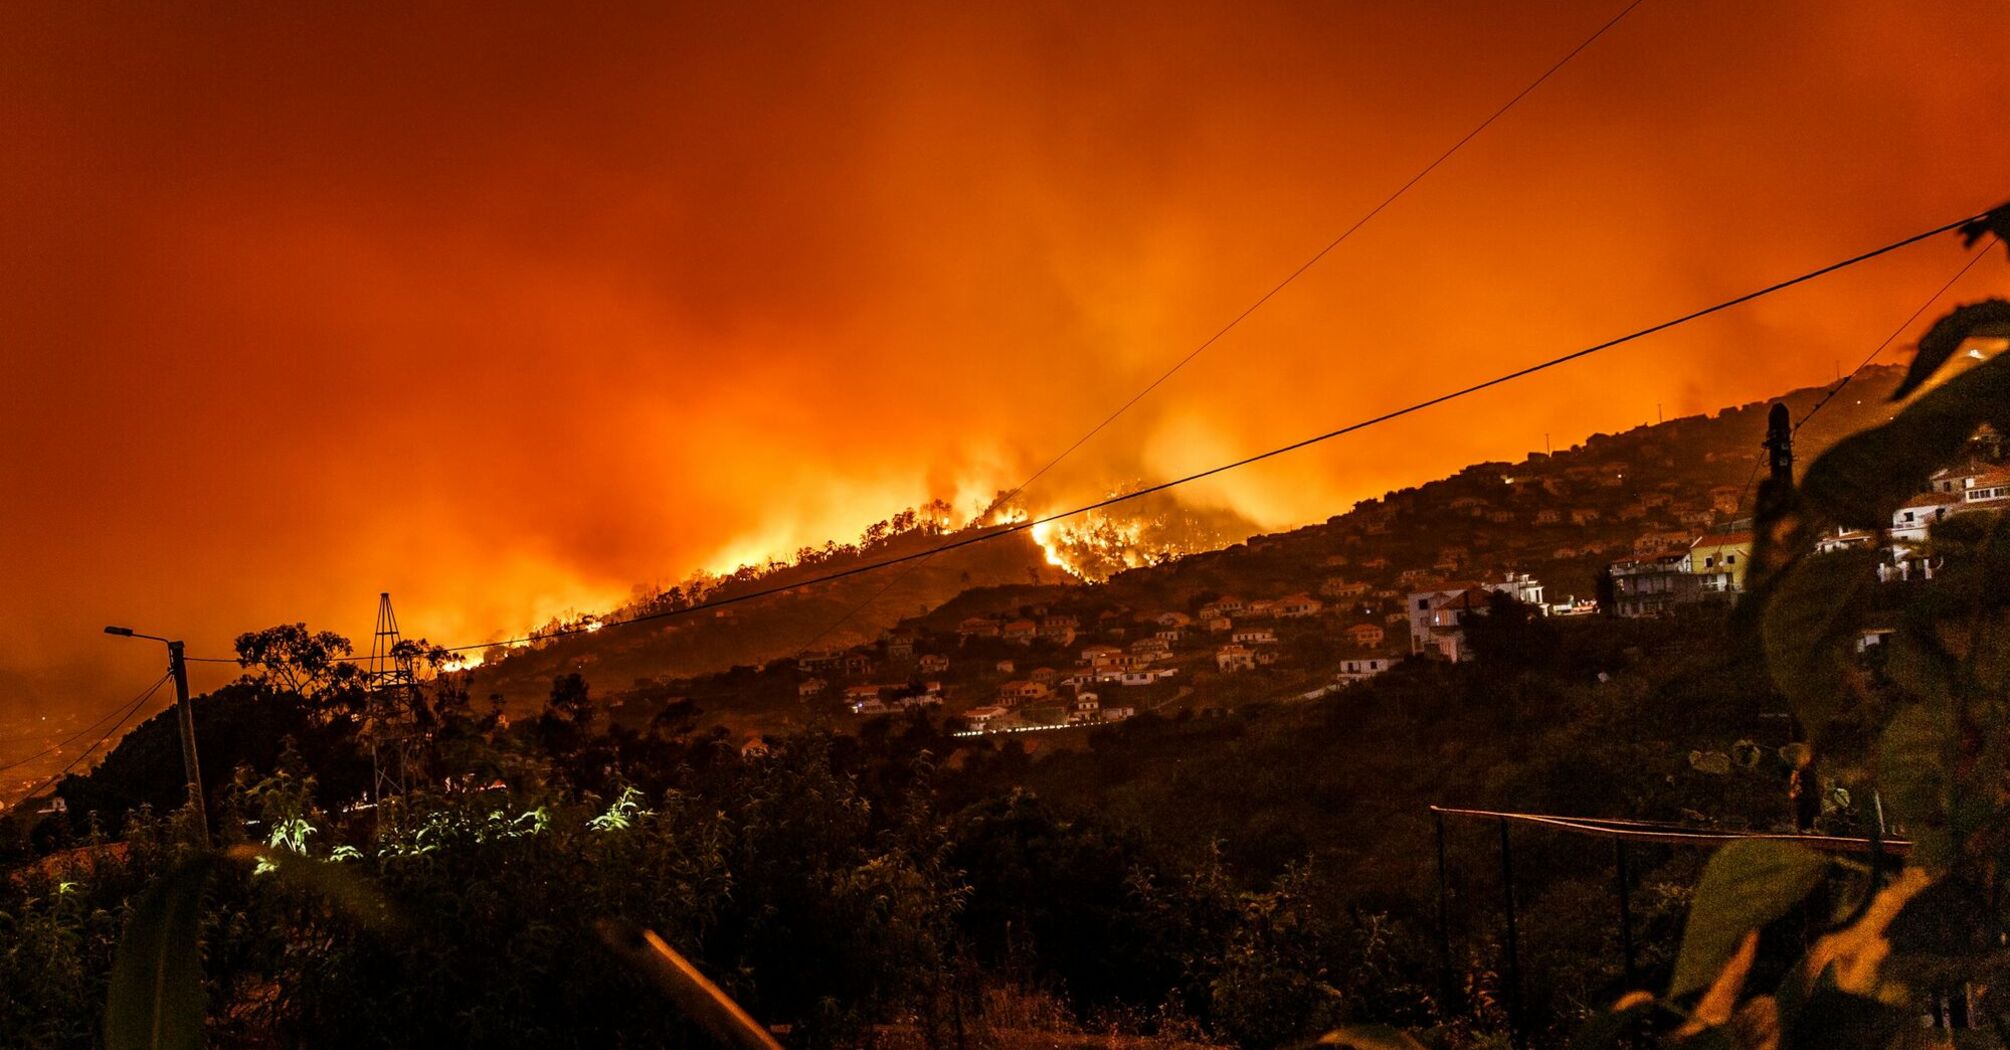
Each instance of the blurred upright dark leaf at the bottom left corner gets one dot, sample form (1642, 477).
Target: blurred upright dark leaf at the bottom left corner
(156, 999)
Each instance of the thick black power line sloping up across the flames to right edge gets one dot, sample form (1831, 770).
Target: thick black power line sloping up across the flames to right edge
(1247, 462)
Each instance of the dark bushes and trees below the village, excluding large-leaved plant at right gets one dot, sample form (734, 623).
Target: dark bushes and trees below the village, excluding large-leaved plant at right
(1253, 880)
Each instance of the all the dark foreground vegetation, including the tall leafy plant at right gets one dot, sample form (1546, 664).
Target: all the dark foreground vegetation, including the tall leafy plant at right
(1253, 880)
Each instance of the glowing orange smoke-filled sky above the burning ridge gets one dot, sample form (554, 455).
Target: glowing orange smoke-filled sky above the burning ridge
(508, 311)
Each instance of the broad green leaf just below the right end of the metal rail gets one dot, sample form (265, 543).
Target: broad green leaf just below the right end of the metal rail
(1744, 888)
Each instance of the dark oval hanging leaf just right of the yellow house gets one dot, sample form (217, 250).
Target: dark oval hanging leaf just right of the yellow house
(1810, 629)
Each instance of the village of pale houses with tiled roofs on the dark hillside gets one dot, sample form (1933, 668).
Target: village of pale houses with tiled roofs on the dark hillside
(1633, 526)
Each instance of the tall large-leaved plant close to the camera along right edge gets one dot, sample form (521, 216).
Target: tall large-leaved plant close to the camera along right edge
(1931, 731)
